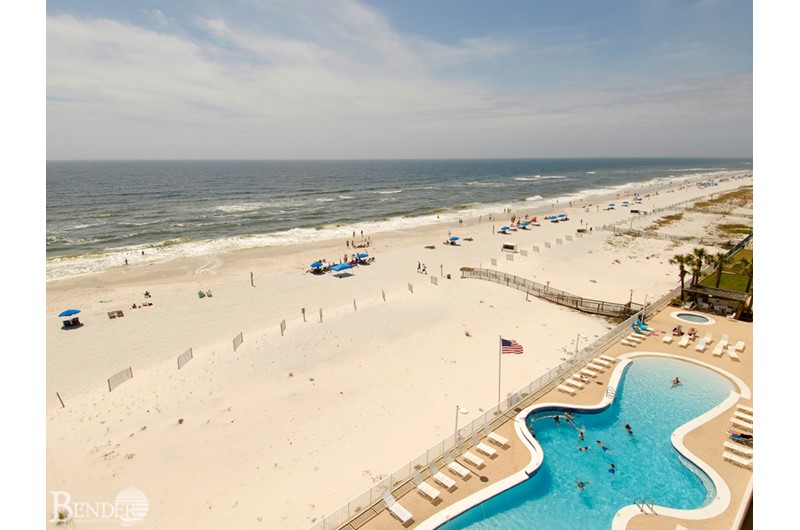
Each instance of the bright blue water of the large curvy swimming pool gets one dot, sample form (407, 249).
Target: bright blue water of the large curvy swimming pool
(647, 465)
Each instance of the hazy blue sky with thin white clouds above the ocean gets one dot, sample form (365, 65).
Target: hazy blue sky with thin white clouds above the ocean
(351, 79)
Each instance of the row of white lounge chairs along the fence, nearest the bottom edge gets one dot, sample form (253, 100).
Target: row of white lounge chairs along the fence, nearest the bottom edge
(441, 478)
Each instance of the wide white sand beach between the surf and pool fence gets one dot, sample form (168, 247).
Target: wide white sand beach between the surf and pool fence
(287, 427)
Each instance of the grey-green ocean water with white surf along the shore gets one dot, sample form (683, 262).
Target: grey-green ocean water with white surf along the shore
(101, 212)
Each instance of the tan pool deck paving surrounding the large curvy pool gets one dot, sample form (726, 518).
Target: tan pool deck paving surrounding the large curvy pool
(704, 441)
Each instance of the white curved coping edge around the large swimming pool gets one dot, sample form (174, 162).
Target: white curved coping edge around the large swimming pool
(625, 514)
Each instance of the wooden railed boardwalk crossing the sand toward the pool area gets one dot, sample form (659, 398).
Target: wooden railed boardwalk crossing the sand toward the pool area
(556, 296)
